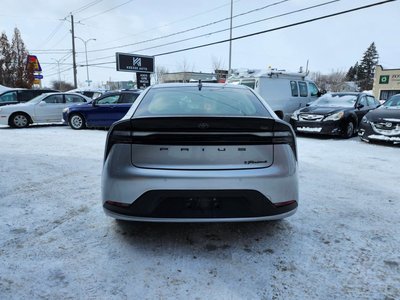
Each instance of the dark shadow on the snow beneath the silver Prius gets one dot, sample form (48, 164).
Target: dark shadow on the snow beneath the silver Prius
(208, 237)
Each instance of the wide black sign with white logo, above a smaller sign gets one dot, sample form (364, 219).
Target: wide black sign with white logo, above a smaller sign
(134, 63)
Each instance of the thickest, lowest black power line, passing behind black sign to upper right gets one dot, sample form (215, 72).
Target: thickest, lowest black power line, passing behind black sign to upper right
(268, 30)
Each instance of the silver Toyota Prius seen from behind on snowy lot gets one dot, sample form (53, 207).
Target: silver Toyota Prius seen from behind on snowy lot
(200, 153)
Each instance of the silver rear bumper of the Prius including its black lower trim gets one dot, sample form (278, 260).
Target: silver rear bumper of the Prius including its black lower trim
(218, 195)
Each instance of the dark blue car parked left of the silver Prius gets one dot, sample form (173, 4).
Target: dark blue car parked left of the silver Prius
(101, 112)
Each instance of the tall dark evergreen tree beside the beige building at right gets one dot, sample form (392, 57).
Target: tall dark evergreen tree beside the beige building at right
(367, 67)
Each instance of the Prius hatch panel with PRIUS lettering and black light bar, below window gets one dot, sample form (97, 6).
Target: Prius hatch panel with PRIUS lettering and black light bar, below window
(202, 143)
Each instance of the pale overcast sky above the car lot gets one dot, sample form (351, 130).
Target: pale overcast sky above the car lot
(332, 44)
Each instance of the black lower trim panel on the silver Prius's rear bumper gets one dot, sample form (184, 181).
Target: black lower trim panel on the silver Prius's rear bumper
(201, 204)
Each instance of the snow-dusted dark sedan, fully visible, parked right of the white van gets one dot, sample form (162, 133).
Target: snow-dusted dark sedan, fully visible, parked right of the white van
(334, 114)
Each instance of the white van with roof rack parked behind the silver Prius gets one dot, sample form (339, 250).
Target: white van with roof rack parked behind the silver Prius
(285, 92)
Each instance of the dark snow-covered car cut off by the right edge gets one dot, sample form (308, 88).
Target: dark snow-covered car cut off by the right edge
(382, 124)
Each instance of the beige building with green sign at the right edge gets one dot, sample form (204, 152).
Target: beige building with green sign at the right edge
(386, 83)
